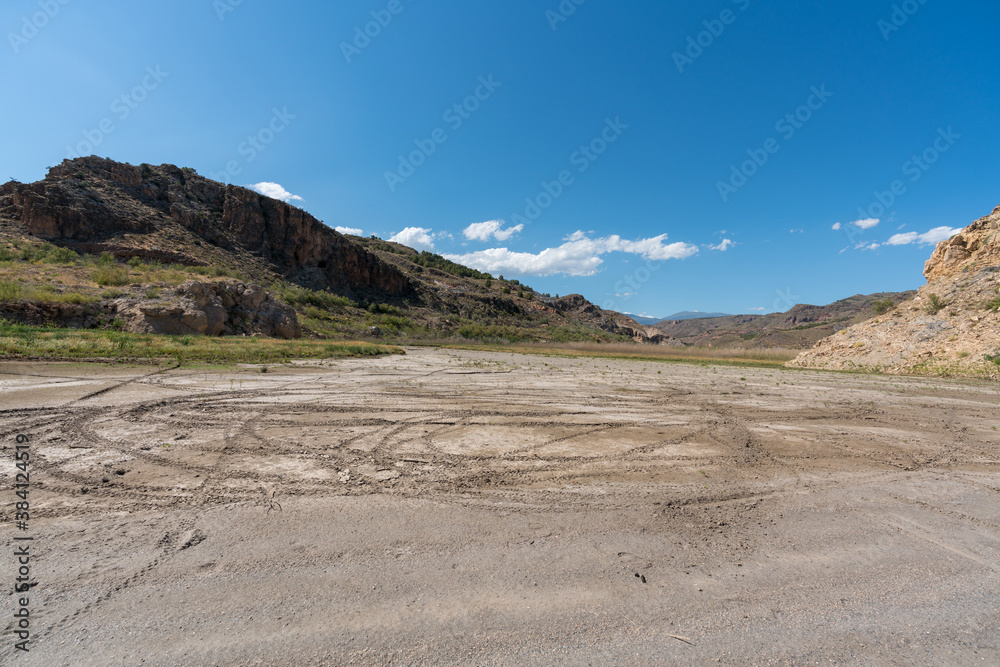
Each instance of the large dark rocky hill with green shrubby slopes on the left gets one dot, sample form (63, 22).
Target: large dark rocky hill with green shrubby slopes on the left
(122, 235)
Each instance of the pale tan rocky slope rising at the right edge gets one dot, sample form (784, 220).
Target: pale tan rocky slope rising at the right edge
(952, 326)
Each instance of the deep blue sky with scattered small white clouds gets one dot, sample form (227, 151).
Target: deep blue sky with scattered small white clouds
(638, 152)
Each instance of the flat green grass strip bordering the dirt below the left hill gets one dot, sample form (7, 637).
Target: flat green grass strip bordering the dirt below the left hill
(26, 342)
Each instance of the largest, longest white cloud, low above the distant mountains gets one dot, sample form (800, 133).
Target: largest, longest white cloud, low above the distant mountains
(578, 256)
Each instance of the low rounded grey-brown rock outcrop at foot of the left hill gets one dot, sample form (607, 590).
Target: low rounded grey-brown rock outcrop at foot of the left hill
(210, 309)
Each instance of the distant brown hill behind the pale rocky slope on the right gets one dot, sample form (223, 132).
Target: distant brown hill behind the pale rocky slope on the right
(800, 327)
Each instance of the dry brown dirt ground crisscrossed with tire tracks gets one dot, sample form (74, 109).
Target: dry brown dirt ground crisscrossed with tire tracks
(453, 507)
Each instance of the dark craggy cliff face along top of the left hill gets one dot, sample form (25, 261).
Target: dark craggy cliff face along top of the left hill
(166, 213)
